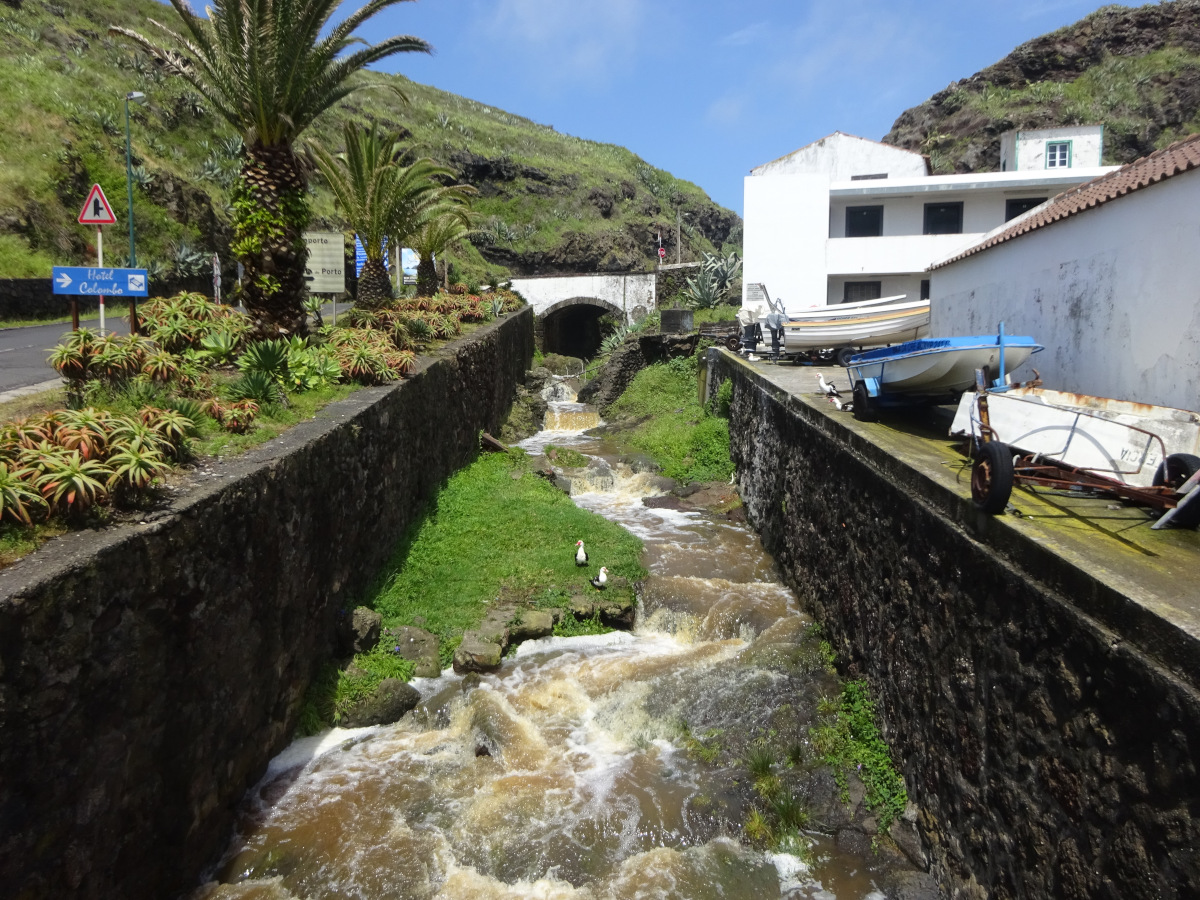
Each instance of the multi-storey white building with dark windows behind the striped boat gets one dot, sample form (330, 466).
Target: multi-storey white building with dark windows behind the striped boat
(848, 219)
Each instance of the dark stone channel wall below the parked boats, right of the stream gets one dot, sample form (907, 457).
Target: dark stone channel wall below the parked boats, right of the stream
(1048, 734)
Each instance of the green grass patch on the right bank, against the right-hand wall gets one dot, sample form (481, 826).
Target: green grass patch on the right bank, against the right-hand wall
(686, 440)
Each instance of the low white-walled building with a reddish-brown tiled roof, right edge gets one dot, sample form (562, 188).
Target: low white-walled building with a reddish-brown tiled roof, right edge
(1107, 278)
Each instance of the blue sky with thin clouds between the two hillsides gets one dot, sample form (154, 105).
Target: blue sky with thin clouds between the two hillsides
(709, 89)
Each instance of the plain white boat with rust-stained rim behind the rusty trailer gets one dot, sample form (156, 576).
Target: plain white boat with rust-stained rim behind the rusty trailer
(1112, 439)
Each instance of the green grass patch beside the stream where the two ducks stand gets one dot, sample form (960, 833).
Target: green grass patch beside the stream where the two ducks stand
(497, 530)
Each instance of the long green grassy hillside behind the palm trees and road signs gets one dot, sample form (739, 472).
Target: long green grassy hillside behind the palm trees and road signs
(549, 202)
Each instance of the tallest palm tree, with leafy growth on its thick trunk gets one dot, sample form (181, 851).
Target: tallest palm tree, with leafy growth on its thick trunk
(265, 67)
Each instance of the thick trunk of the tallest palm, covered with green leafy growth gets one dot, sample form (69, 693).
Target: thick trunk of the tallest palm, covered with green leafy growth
(271, 214)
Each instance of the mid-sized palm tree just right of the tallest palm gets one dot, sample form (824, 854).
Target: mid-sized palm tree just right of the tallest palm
(381, 199)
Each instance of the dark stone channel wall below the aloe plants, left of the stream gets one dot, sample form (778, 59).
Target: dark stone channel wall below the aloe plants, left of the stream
(149, 671)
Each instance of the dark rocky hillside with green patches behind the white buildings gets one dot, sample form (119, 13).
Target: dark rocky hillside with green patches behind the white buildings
(1136, 70)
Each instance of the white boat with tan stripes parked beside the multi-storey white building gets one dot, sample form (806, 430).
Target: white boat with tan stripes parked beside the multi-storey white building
(869, 323)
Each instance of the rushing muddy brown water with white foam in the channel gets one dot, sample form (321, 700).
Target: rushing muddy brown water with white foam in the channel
(568, 775)
